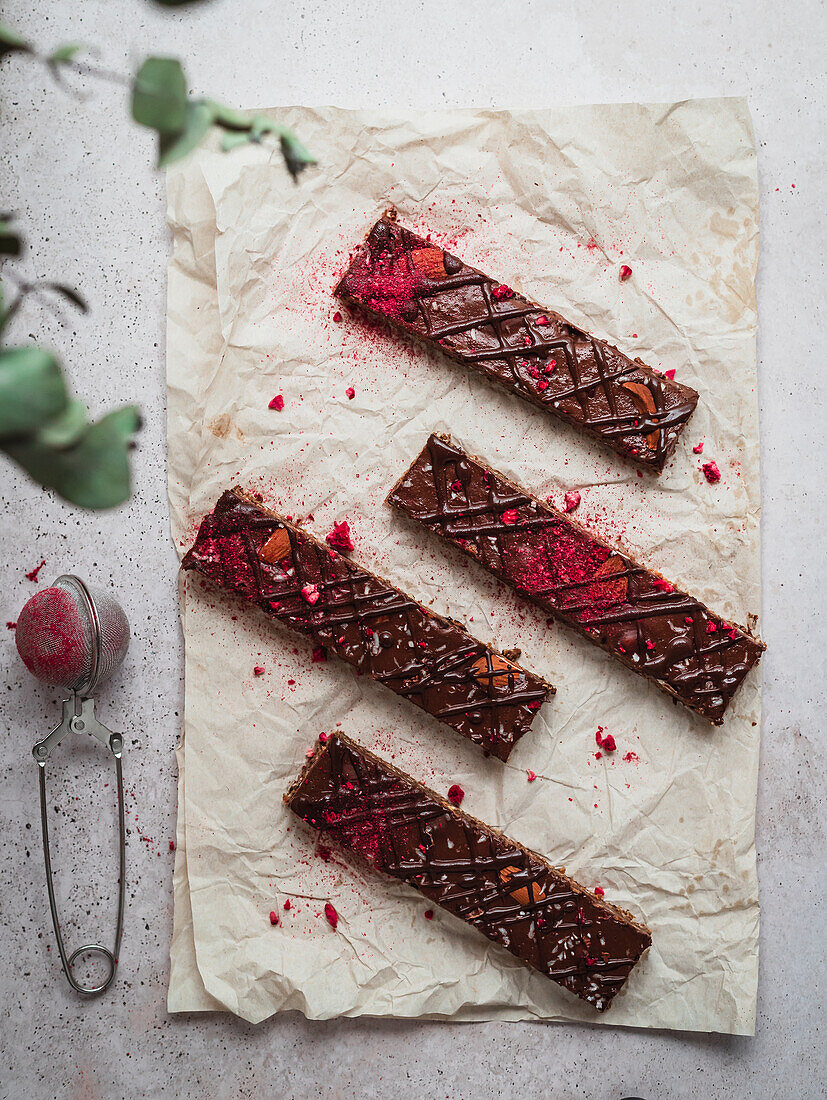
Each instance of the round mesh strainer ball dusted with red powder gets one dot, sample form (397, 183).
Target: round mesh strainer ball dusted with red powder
(73, 636)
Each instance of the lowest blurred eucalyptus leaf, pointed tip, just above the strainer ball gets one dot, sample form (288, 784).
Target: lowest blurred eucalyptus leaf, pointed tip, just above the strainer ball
(95, 471)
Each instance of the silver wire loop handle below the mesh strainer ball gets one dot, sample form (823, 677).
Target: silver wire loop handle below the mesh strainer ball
(84, 722)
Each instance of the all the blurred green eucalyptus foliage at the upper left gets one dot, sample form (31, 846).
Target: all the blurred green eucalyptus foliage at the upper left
(42, 427)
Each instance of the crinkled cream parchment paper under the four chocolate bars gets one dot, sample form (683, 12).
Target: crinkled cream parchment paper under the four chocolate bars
(553, 202)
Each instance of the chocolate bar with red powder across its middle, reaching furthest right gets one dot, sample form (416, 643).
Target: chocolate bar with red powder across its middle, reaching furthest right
(630, 611)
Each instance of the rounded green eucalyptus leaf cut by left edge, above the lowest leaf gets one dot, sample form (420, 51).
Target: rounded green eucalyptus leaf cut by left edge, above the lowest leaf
(32, 390)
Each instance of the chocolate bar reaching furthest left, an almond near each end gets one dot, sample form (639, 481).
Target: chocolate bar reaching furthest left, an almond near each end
(376, 628)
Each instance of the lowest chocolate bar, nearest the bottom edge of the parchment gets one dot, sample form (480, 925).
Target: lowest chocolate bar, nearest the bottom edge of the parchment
(510, 894)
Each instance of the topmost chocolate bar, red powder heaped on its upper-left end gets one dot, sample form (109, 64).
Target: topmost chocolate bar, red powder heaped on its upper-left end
(532, 351)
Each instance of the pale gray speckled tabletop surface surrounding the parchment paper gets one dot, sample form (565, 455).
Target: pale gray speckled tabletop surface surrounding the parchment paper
(79, 174)
